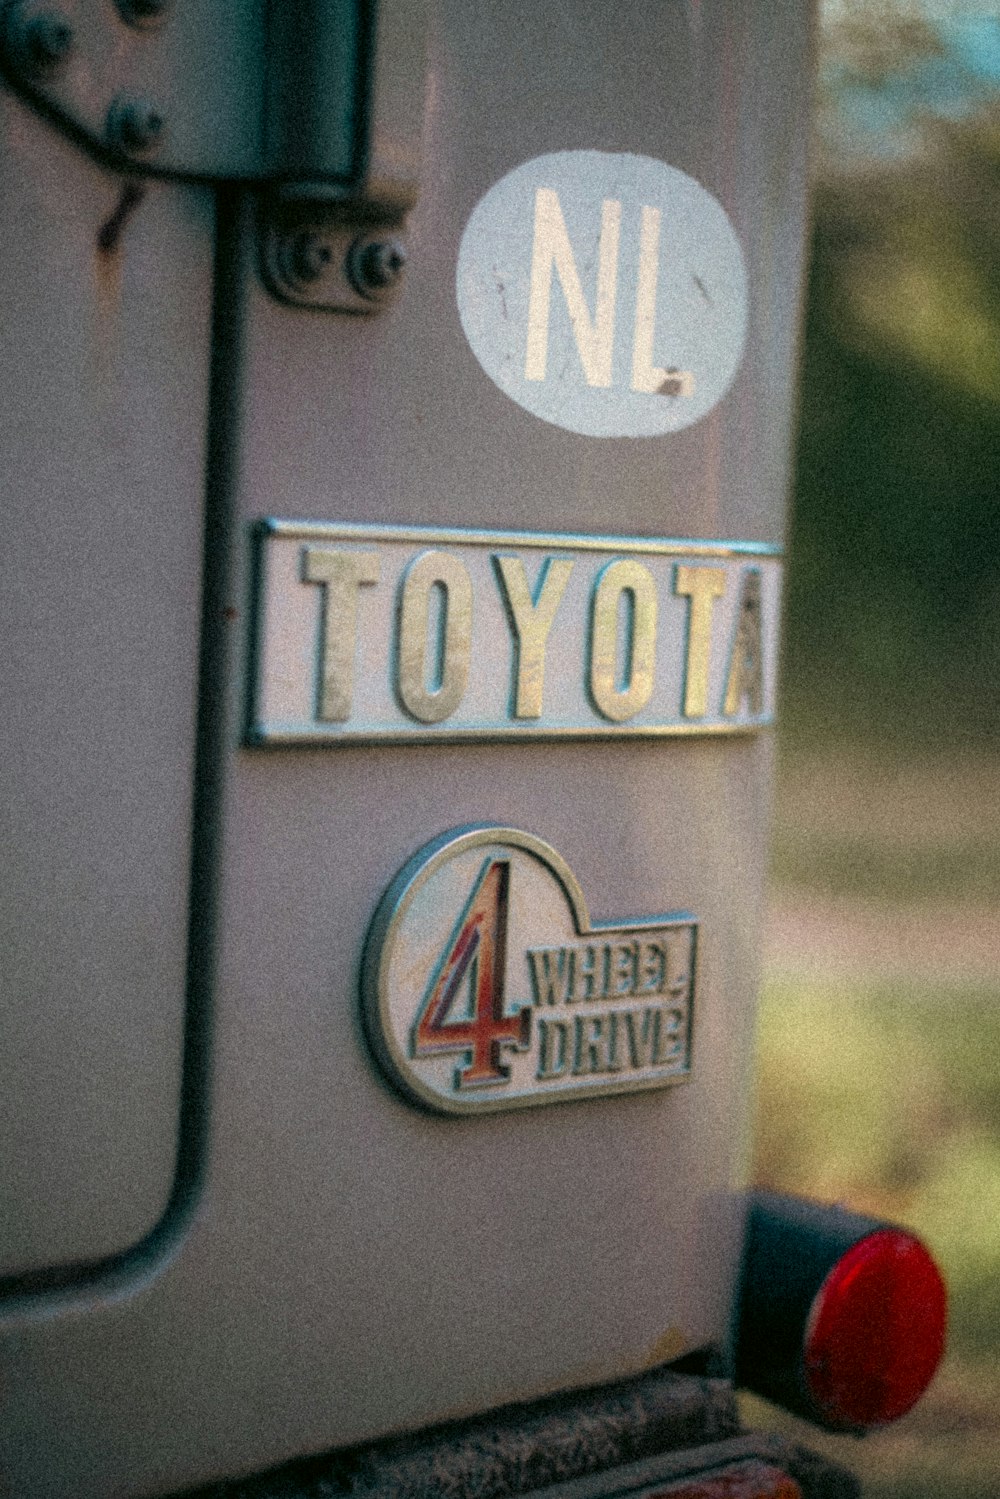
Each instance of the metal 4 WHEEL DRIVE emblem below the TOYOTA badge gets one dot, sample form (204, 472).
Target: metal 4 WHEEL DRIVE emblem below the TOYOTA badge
(485, 984)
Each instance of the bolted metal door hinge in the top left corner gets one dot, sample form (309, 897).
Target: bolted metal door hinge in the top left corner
(317, 103)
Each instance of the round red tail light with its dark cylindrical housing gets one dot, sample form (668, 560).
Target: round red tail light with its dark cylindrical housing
(842, 1318)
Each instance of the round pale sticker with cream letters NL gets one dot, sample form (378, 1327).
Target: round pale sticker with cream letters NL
(606, 295)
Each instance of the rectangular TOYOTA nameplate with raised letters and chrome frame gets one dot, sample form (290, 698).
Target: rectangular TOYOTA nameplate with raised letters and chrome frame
(410, 635)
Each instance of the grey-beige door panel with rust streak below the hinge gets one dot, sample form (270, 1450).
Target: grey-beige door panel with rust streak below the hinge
(104, 368)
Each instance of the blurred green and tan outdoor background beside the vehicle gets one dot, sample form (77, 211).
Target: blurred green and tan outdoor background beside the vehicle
(879, 1049)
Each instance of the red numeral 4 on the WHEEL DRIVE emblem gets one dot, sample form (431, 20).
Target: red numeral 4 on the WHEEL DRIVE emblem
(478, 953)
